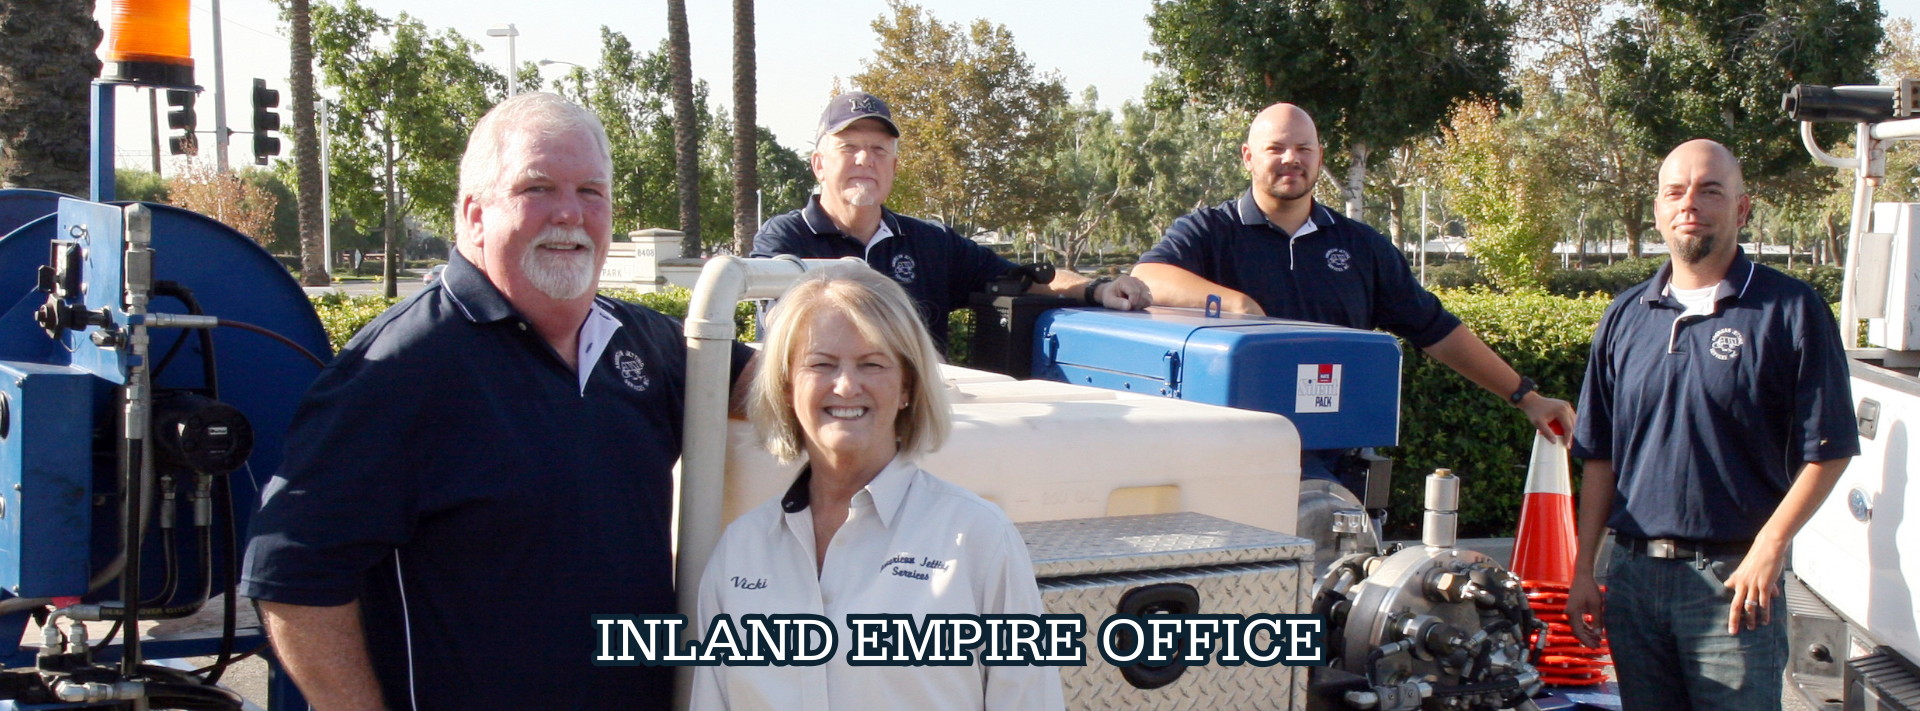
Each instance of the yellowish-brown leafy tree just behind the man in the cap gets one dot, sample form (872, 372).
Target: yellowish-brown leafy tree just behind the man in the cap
(974, 116)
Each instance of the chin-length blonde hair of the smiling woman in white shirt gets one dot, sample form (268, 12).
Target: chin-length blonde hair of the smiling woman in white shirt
(884, 316)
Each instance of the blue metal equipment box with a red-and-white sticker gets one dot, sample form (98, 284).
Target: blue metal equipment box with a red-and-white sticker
(1339, 387)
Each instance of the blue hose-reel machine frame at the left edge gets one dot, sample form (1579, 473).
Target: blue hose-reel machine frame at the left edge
(57, 397)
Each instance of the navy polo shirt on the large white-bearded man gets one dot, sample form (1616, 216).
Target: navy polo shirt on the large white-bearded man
(454, 476)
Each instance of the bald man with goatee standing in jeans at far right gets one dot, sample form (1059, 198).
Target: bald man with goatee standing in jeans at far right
(1714, 420)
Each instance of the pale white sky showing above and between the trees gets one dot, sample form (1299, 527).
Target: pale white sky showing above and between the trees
(802, 49)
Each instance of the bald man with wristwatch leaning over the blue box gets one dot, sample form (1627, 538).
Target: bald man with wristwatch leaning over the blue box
(1278, 253)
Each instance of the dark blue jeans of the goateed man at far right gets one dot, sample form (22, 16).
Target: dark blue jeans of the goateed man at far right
(1668, 627)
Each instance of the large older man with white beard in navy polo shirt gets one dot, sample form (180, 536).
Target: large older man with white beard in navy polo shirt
(489, 464)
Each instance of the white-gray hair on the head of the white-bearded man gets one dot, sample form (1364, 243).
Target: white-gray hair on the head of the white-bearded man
(535, 112)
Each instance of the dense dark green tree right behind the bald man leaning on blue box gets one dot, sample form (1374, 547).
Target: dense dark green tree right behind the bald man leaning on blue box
(1374, 74)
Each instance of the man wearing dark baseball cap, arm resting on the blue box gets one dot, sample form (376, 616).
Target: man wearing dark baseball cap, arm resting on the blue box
(855, 159)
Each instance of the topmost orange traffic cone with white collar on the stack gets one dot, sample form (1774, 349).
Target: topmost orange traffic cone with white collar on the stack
(1545, 547)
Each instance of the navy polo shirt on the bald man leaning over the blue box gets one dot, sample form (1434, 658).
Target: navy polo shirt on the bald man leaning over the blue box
(1343, 274)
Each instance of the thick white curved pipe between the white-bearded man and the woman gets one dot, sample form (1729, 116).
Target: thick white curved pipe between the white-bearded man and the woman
(711, 331)
